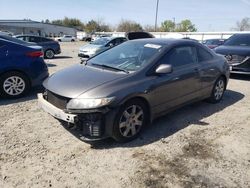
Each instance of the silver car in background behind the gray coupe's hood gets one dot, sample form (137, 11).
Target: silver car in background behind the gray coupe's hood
(99, 45)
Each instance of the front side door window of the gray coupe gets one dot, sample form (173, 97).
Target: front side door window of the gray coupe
(181, 56)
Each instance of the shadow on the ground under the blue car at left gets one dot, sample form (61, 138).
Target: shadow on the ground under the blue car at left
(30, 96)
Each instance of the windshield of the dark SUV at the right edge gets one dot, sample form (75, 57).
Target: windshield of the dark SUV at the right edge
(238, 40)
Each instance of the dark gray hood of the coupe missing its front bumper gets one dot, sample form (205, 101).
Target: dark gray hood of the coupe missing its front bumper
(78, 79)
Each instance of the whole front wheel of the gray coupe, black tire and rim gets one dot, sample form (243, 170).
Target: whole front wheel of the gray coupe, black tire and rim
(130, 120)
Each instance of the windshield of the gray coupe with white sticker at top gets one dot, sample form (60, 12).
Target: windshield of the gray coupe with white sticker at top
(129, 56)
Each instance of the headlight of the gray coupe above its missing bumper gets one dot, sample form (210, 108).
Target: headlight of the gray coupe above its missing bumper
(77, 104)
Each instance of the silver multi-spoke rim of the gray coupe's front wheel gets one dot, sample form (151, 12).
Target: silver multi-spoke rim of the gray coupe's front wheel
(131, 121)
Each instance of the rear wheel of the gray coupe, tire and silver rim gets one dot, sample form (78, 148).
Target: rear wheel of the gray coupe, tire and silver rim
(218, 90)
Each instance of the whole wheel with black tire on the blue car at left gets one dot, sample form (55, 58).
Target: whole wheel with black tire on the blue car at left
(14, 85)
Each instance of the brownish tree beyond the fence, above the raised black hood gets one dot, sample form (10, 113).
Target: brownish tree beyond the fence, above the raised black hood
(128, 25)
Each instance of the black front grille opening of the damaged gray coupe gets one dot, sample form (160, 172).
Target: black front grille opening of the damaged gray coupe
(56, 100)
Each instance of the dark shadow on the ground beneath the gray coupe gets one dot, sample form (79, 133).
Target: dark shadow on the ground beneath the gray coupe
(175, 121)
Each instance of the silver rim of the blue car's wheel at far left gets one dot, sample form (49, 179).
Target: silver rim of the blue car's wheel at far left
(14, 85)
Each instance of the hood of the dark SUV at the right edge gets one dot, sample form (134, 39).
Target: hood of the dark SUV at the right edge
(233, 50)
